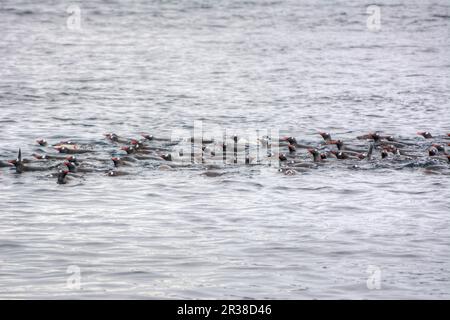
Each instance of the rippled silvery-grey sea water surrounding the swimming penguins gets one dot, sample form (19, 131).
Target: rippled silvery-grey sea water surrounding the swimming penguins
(156, 66)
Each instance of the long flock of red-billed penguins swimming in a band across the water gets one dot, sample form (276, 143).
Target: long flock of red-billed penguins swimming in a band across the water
(67, 159)
